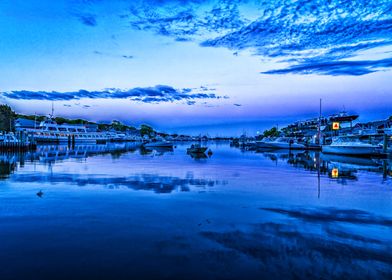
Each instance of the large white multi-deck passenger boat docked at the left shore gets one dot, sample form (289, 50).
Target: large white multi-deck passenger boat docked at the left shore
(50, 131)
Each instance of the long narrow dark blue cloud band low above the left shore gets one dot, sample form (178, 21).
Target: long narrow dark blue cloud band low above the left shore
(156, 94)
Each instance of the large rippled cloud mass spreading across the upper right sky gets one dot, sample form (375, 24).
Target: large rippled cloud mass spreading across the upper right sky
(307, 34)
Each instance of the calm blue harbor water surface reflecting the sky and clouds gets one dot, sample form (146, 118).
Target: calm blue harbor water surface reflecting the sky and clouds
(119, 212)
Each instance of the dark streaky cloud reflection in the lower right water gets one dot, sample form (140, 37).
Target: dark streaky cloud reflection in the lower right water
(316, 244)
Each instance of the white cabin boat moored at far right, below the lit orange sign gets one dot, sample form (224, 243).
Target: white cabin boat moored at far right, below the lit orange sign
(351, 145)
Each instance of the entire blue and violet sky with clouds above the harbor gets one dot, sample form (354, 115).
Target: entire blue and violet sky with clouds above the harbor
(196, 66)
